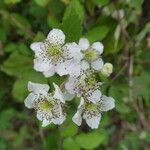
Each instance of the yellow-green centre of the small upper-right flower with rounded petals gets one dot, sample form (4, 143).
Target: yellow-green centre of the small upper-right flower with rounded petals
(91, 55)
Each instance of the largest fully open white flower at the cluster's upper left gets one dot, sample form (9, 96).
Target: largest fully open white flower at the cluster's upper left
(54, 56)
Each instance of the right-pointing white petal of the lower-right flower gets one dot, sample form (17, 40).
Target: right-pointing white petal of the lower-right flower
(107, 103)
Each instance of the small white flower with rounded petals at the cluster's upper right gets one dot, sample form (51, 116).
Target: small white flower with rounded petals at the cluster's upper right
(92, 54)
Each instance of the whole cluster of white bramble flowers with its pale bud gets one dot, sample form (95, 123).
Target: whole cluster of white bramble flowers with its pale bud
(80, 63)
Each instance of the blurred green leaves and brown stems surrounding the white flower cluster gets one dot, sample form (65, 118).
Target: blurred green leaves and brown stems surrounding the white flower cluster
(123, 26)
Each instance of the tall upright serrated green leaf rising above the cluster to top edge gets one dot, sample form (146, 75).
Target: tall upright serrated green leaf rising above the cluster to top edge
(72, 21)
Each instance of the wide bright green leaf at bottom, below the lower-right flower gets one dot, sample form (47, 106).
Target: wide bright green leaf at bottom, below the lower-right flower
(90, 140)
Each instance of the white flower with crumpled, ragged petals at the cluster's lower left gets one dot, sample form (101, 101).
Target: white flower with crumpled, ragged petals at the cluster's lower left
(49, 108)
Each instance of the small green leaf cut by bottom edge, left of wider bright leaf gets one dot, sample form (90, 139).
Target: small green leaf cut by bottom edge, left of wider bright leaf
(70, 144)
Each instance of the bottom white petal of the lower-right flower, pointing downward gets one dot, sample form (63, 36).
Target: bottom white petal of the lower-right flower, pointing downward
(94, 121)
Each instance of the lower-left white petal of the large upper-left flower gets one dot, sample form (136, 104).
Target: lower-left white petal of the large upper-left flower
(40, 65)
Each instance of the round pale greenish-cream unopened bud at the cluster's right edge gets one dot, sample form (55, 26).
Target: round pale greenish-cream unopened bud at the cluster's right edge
(107, 69)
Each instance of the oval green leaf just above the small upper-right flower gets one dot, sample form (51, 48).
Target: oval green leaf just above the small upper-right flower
(97, 33)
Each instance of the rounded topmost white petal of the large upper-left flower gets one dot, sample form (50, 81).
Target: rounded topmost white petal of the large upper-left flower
(56, 37)
